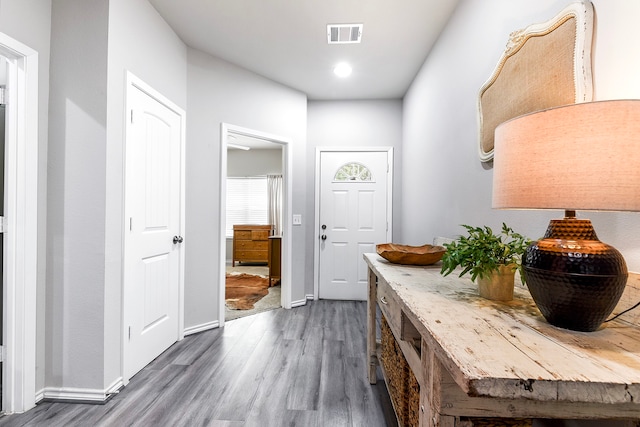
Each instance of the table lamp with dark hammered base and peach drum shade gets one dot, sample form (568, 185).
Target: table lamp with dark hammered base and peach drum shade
(576, 157)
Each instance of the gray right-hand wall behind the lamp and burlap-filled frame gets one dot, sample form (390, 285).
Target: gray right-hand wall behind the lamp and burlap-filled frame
(445, 184)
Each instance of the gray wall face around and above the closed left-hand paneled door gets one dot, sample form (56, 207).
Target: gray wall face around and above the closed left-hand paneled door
(141, 42)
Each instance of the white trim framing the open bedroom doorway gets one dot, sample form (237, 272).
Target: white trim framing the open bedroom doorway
(287, 167)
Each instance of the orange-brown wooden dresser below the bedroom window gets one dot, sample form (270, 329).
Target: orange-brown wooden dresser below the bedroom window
(251, 243)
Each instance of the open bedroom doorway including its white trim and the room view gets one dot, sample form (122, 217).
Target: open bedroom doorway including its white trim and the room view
(255, 201)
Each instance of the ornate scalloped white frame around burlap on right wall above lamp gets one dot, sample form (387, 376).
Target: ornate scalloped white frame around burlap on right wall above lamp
(582, 12)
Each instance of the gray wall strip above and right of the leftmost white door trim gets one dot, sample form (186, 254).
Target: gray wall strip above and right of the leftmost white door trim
(29, 21)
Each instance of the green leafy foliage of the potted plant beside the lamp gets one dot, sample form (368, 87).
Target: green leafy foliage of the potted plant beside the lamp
(481, 251)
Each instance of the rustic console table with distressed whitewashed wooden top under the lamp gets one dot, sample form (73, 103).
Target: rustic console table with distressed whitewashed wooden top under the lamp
(477, 358)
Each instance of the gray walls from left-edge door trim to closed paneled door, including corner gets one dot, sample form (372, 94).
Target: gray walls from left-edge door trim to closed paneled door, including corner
(93, 43)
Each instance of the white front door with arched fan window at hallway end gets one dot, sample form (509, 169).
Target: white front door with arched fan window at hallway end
(353, 217)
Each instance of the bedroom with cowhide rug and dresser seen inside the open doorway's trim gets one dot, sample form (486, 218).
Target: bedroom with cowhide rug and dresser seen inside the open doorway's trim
(254, 227)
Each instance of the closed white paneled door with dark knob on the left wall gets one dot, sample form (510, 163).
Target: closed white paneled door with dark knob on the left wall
(153, 241)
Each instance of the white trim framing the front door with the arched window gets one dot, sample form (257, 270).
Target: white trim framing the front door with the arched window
(316, 251)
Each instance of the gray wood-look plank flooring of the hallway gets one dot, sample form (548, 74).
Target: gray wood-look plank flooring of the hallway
(300, 367)
